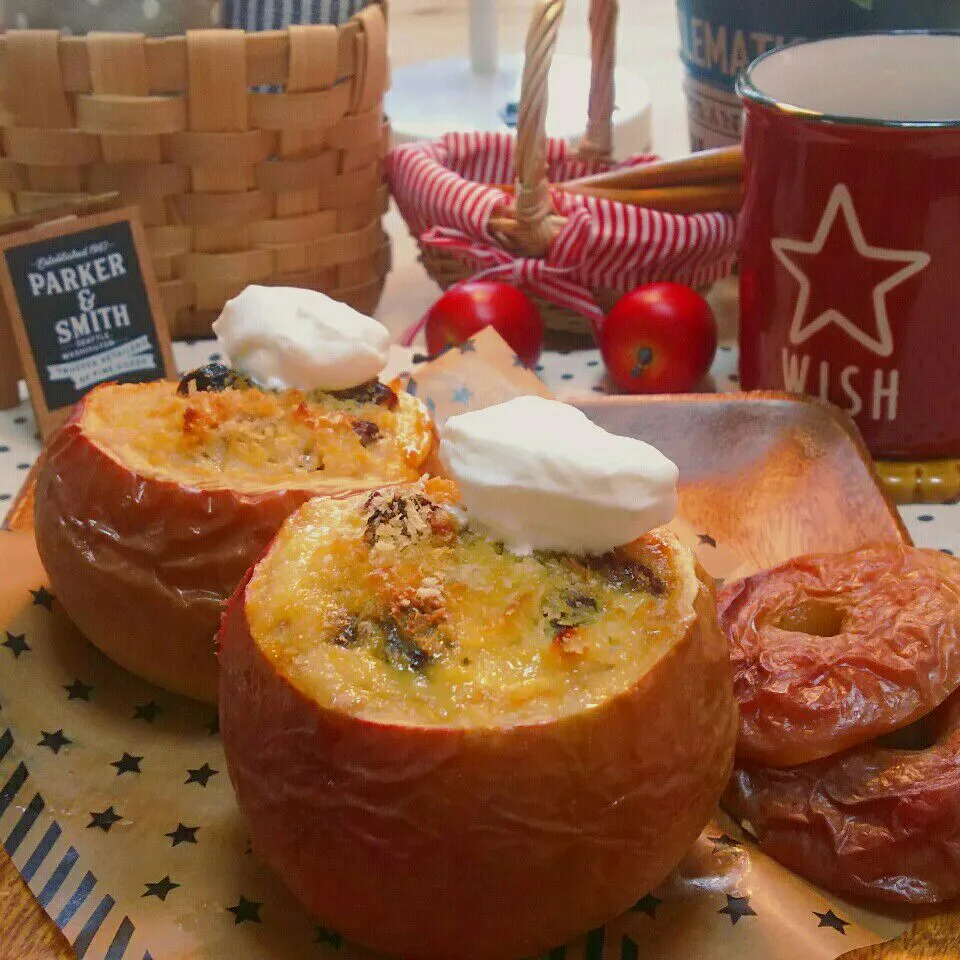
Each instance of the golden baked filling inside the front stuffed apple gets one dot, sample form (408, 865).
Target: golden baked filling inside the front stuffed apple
(388, 606)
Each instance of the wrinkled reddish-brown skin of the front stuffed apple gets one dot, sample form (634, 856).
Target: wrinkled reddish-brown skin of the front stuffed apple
(428, 843)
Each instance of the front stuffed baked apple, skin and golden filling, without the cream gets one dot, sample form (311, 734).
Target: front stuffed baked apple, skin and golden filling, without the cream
(451, 747)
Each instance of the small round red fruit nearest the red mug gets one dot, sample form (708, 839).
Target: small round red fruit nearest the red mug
(660, 338)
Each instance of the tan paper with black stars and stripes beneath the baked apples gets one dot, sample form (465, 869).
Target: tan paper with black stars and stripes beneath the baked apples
(85, 745)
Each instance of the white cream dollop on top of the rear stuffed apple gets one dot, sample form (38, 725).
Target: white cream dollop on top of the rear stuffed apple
(285, 337)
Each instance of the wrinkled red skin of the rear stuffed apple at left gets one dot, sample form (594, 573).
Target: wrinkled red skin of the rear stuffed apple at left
(144, 566)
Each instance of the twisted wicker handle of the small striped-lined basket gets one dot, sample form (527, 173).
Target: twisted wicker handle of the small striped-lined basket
(533, 206)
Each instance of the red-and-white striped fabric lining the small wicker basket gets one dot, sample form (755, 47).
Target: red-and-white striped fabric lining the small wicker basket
(443, 191)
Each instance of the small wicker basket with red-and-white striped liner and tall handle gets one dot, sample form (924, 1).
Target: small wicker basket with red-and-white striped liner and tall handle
(574, 254)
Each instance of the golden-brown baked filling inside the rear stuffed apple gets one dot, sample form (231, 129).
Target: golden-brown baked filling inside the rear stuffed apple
(246, 438)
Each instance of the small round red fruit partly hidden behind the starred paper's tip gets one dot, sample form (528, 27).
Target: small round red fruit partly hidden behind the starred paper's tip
(464, 310)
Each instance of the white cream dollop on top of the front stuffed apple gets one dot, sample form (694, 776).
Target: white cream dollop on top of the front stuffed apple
(540, 475)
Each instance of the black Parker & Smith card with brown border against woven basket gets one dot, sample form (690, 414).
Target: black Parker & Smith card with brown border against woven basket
(86, 311)
